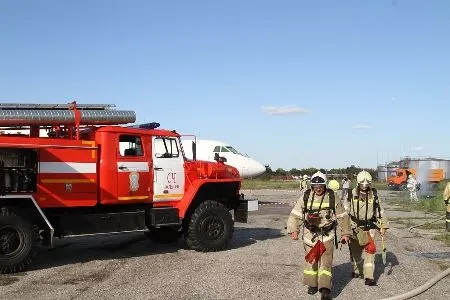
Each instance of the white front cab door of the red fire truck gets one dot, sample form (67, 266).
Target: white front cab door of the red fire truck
(168, 176)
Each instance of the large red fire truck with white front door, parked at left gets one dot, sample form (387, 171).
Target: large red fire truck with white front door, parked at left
(90, 174)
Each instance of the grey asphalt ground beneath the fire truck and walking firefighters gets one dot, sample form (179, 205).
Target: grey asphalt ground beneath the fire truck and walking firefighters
(261, 263)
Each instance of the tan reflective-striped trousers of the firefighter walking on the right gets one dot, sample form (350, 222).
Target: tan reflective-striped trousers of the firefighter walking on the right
(362, 262)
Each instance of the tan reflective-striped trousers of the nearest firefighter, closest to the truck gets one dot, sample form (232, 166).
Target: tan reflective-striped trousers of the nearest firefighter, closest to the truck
(319, 274)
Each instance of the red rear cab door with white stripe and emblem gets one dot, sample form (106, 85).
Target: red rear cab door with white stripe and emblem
(132, 169)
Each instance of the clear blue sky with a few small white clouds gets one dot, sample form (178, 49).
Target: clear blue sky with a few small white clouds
(294, 84)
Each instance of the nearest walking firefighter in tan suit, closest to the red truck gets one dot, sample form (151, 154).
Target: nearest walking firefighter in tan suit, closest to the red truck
(320, 212)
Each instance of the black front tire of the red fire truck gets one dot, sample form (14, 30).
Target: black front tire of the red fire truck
(209, 228)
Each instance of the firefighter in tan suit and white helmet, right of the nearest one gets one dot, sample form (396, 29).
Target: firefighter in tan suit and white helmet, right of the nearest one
(366, 217)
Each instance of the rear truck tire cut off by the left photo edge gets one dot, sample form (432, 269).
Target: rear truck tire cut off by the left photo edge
(18, 242)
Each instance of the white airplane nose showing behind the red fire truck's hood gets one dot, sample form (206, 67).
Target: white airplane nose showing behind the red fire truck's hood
(207, 149)
